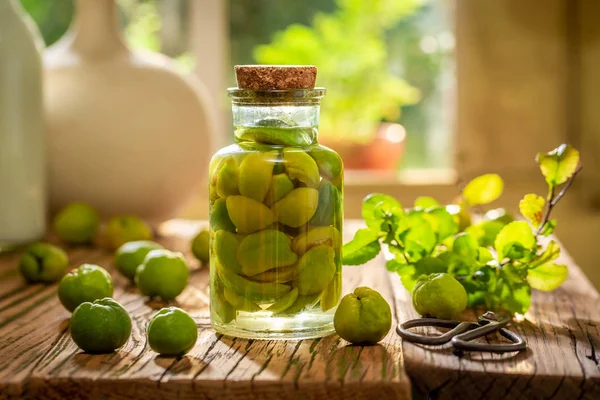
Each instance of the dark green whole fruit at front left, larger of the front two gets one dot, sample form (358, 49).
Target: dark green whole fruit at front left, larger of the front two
(100, 327)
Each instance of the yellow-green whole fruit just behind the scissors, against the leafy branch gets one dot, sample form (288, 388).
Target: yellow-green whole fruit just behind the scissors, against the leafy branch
(439, 296)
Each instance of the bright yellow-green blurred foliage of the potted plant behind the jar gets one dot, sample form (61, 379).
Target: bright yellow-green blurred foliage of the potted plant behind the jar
(349, 47)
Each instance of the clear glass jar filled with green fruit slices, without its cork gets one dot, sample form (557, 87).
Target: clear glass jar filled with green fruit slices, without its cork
(276, 220)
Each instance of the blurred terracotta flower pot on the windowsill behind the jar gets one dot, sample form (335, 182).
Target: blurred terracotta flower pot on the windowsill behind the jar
(384, 152)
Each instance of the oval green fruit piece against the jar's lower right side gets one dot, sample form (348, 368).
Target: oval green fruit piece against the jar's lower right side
(316, 269)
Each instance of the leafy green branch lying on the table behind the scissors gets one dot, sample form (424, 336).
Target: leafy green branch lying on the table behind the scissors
(497, 259)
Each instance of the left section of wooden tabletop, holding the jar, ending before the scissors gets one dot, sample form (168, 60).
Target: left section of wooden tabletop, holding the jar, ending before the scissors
(39, 360)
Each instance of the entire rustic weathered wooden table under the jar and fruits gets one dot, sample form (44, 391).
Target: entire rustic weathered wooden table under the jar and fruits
(39, 360)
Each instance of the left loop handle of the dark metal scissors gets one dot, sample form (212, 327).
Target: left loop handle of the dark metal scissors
(457, 328)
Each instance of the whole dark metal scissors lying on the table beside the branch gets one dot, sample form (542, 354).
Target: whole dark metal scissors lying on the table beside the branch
(462, 333)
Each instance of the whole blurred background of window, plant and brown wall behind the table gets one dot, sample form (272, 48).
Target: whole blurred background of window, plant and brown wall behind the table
(423, 94)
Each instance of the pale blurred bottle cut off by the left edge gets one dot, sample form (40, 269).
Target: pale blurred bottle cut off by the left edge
(22, 144)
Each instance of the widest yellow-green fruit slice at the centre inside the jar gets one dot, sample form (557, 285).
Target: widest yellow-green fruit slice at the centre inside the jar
(265, 250)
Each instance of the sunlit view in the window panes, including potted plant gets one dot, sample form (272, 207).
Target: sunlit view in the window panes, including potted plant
(407, 55)
